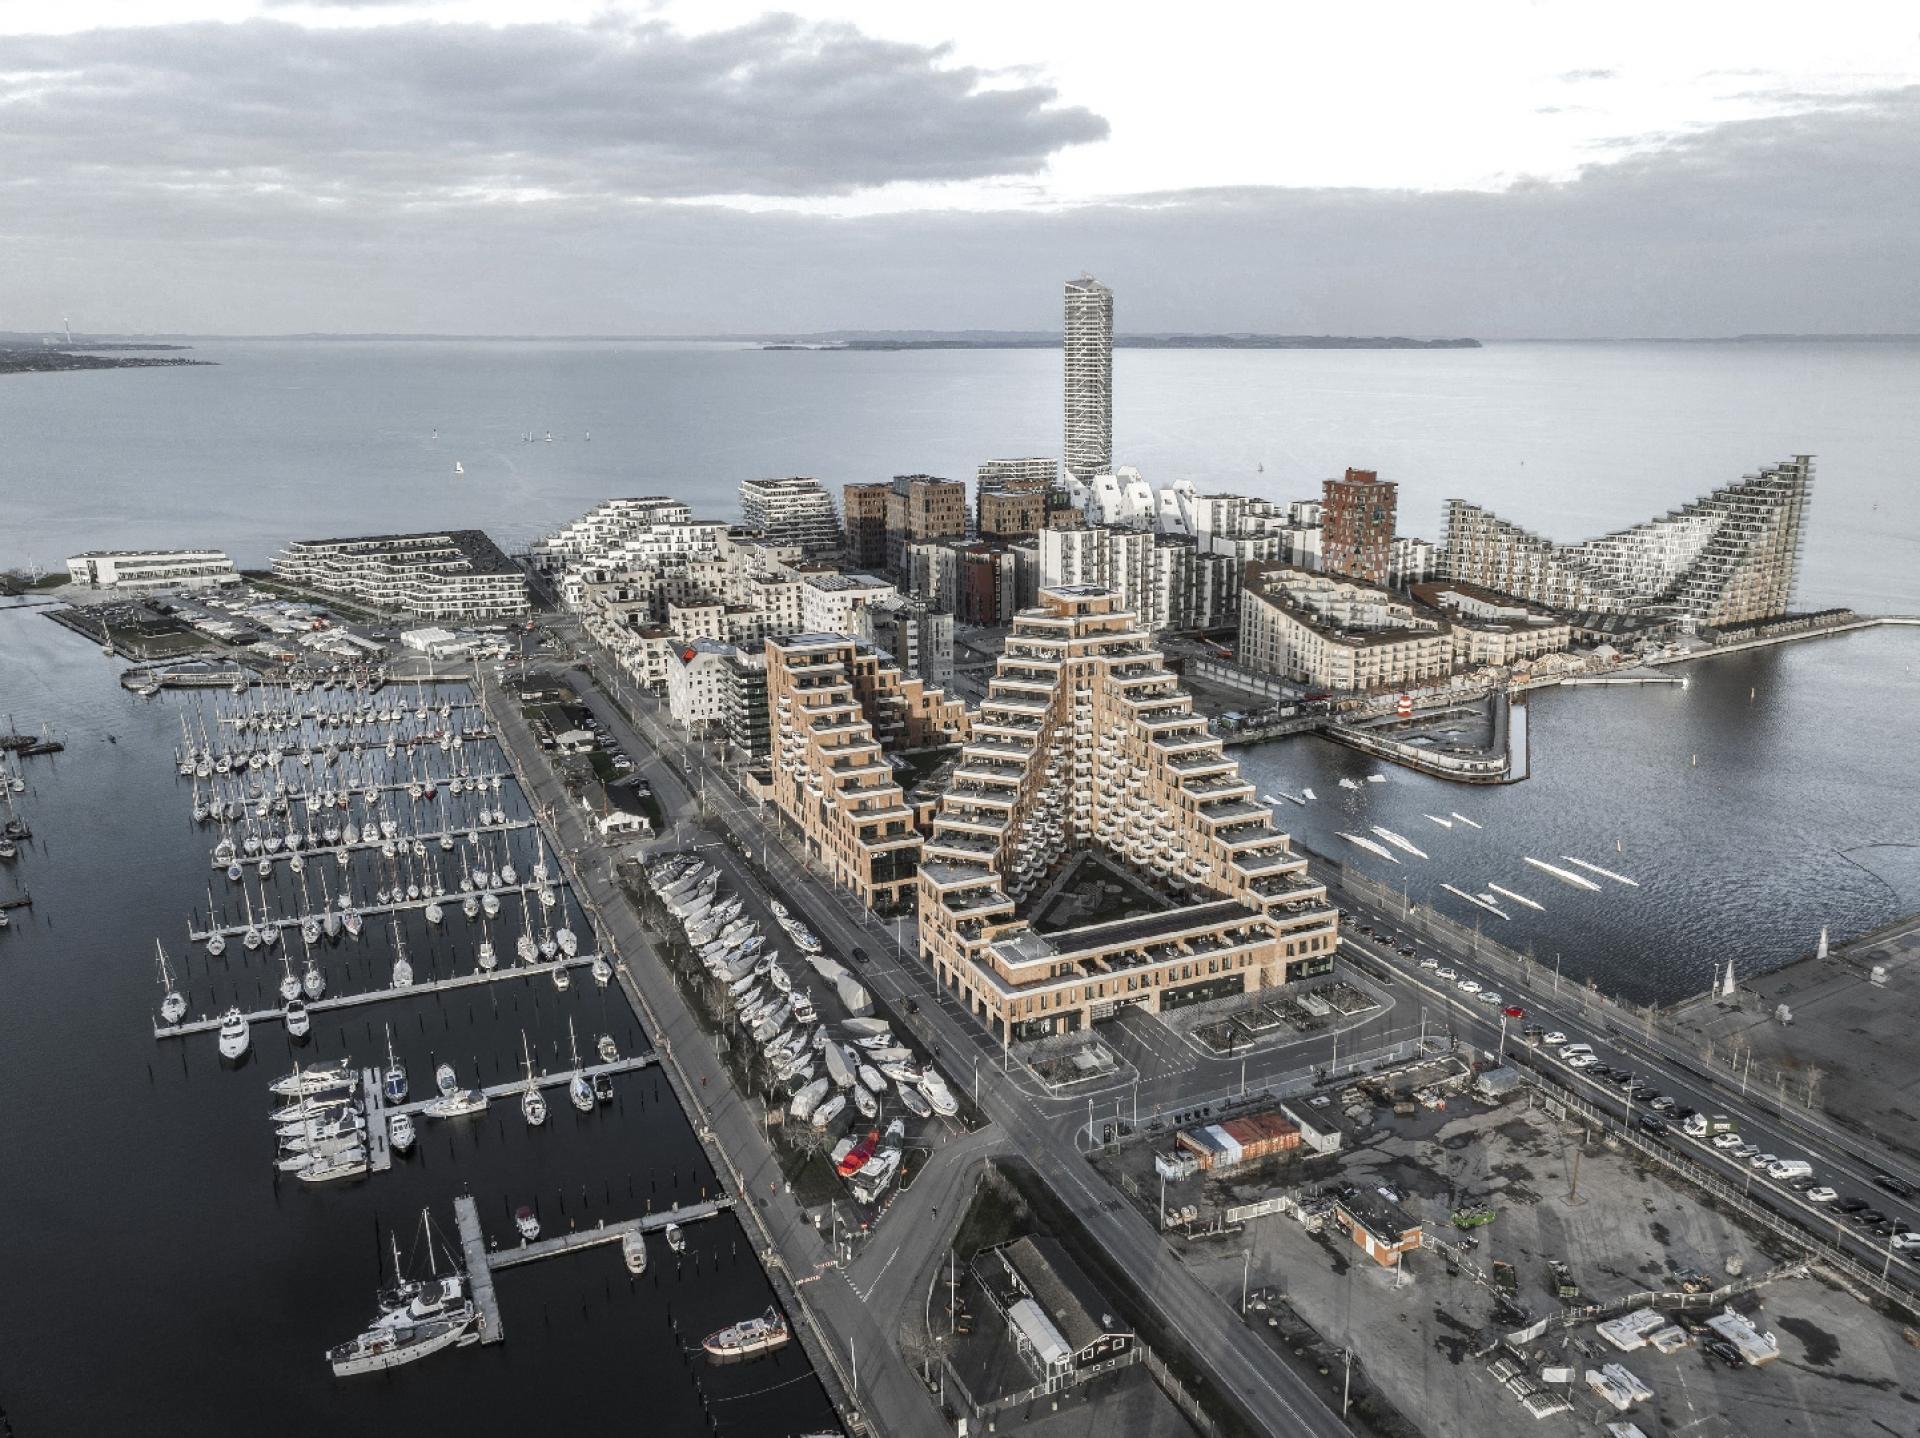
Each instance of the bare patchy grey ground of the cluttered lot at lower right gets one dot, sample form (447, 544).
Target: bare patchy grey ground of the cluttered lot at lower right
(1842, 1368)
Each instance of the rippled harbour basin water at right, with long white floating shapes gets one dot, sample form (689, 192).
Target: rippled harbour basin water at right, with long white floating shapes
(1769, 798)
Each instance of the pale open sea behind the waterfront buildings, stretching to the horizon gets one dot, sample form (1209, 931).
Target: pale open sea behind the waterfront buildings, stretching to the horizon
(299, 439)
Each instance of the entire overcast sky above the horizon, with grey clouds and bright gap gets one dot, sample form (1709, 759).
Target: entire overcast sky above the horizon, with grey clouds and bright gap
(569, 168)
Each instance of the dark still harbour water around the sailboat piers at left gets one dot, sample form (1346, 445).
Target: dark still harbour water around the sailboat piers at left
(164, 1280)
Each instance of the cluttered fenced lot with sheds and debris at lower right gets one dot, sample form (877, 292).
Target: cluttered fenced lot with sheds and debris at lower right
(1451, 1258)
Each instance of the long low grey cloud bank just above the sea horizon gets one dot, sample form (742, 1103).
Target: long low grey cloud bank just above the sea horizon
(1798, 222)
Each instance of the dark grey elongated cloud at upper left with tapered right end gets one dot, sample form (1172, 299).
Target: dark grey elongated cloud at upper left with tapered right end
(423, 112)
